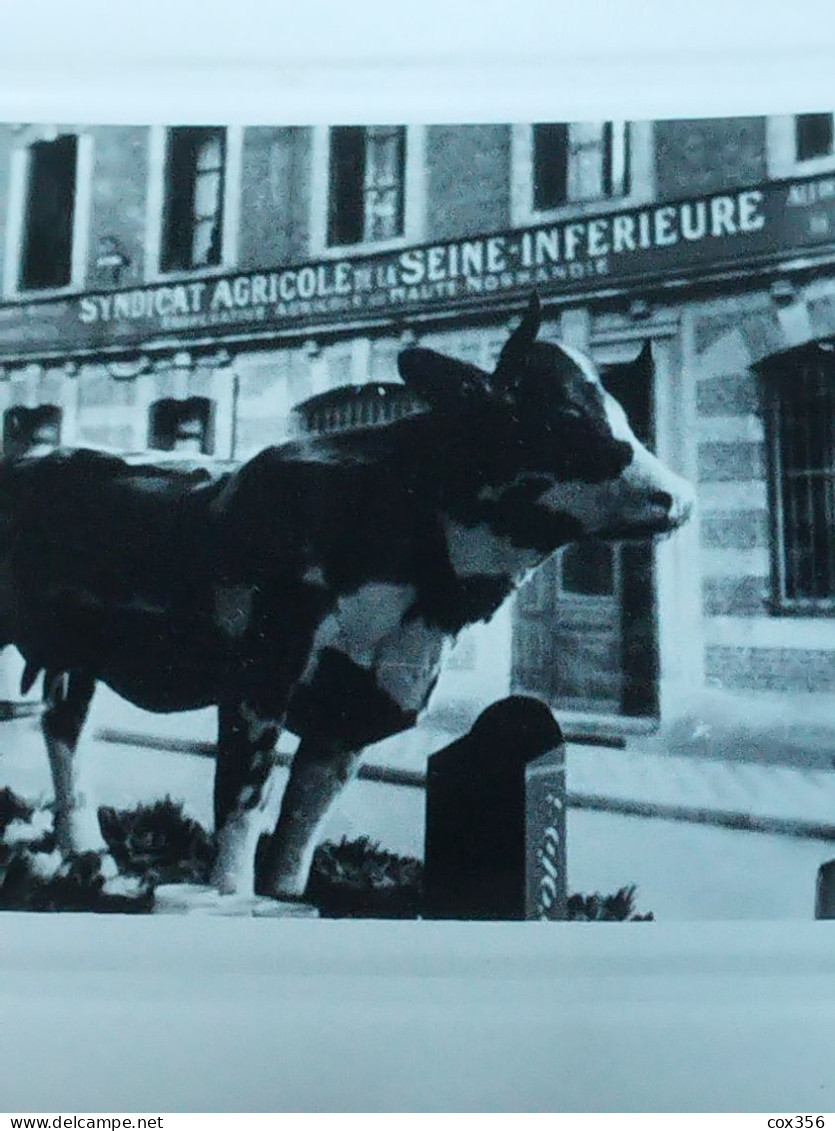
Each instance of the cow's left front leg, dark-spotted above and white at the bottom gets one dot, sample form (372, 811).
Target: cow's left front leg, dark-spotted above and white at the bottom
(246, 759)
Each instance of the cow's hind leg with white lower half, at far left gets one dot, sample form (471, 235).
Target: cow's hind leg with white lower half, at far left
(76, 822)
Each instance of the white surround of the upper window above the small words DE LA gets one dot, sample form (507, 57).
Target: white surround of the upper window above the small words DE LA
(414, 198)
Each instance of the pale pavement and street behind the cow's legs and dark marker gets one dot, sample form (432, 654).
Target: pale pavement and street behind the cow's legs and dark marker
(703, 838)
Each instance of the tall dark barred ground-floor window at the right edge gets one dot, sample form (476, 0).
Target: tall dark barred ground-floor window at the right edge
(803, 387)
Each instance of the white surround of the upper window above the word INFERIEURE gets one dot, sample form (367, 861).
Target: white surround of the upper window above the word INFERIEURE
(641, 189)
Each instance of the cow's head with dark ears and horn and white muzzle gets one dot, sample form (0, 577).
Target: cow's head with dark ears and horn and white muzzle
(548, 424)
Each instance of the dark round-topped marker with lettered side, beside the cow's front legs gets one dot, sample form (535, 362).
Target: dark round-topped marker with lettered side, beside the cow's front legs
(496, 818)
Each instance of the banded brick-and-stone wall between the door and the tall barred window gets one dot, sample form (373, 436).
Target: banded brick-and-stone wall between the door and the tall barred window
(742, 631)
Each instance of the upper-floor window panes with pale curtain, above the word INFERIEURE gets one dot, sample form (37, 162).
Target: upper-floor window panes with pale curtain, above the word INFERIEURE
(580, 162)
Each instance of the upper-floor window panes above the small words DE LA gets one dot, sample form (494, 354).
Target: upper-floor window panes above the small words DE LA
(367, 184)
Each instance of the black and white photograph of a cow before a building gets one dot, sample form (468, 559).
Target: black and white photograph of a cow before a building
(419, 521)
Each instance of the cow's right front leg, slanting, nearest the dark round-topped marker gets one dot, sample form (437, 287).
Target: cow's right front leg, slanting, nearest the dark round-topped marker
(320, 773)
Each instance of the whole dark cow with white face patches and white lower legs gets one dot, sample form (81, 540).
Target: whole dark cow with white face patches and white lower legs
(316, 588)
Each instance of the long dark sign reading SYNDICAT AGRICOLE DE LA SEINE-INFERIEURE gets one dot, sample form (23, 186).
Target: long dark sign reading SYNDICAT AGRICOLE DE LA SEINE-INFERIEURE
(688, 239)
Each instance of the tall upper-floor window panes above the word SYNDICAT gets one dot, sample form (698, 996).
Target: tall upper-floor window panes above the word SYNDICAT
(195, 180)
